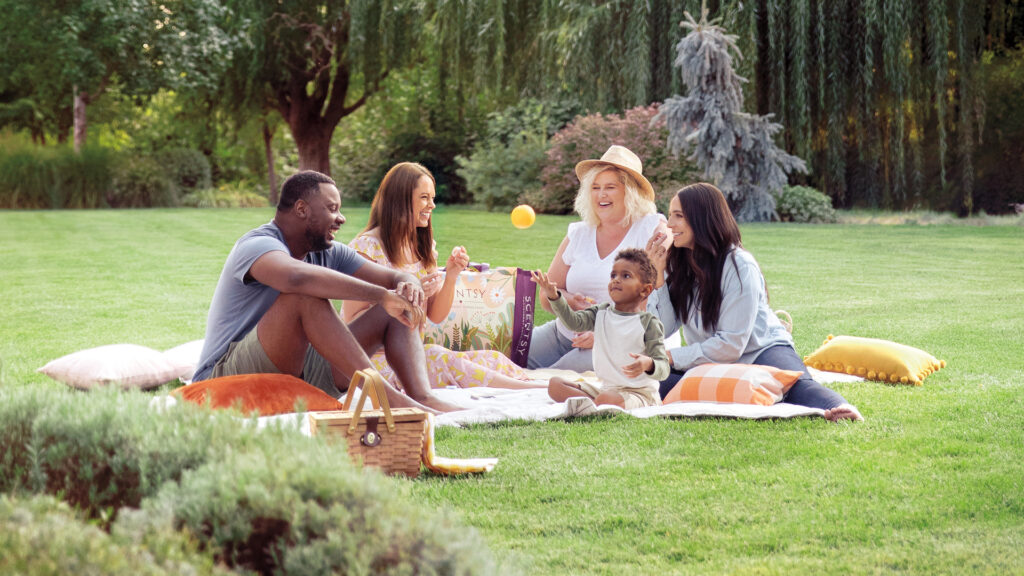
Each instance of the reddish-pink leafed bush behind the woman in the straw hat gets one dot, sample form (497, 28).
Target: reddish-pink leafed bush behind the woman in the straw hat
(589, 137)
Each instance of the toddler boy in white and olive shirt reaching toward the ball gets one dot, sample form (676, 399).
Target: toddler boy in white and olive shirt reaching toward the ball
(629, 342)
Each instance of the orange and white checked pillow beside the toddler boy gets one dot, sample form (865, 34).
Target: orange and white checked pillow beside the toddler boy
(736, 384)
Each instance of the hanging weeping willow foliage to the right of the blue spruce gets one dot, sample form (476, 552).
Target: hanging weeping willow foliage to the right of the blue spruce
(882, 97)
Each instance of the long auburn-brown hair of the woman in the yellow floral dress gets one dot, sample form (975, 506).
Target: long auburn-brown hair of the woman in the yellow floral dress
(393, 213)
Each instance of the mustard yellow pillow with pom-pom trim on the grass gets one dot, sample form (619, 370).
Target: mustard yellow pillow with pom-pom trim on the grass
(883, 361)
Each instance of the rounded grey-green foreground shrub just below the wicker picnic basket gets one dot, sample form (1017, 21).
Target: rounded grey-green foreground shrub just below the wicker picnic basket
(296, 506)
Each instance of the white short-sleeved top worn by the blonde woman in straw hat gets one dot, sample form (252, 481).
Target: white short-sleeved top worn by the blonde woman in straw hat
(589, 273)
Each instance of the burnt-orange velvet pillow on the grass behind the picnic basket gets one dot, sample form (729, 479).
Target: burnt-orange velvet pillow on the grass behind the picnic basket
(266, 394)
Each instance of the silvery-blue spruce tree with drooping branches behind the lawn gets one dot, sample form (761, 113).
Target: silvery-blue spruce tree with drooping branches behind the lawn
(736, 150)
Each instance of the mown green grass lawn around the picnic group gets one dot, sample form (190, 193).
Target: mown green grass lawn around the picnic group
(933, 481)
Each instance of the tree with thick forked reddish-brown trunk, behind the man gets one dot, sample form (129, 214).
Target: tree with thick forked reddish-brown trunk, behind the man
(317, 62)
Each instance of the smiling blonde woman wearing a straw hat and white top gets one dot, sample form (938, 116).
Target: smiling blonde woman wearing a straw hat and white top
(617, 207)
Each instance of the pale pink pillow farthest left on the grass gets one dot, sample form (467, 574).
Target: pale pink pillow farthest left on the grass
(130, 366)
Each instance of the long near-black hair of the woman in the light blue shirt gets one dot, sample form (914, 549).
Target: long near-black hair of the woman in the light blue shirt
(696, 275)
